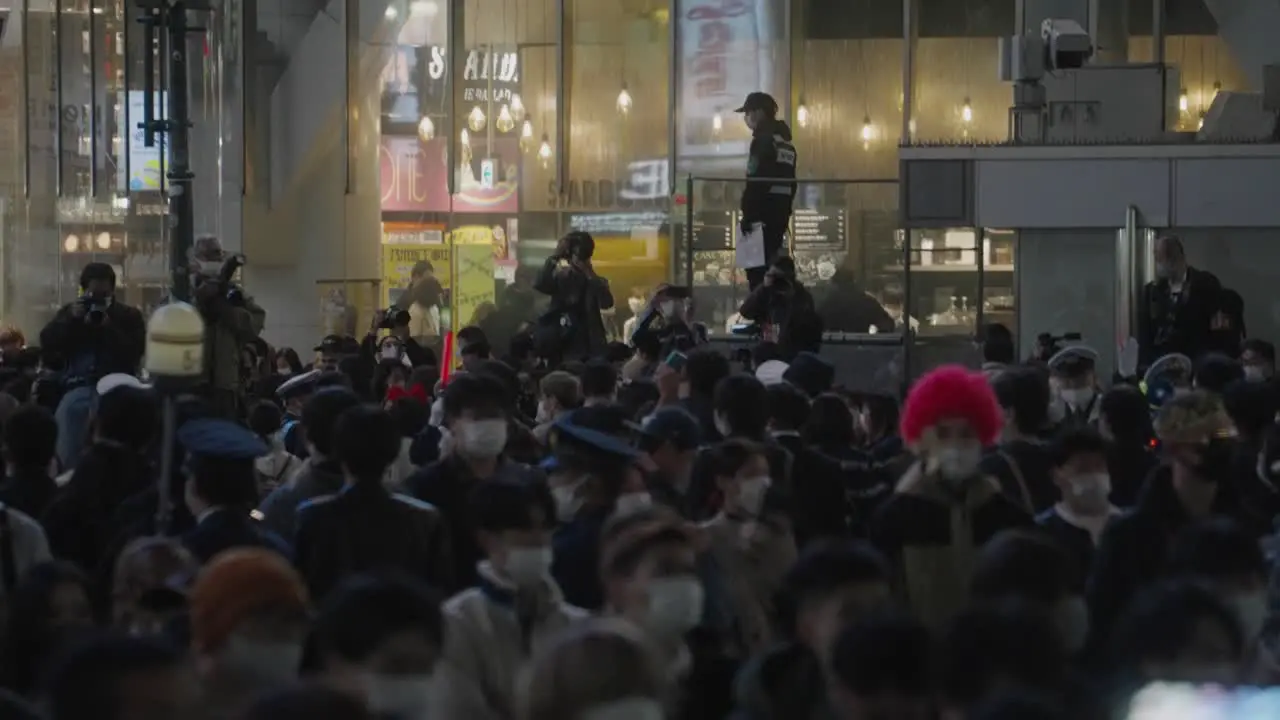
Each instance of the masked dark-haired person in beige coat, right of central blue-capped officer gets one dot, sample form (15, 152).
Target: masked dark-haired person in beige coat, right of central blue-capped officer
(752, 545)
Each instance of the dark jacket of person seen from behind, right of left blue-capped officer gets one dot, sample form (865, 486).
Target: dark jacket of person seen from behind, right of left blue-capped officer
(365, 530)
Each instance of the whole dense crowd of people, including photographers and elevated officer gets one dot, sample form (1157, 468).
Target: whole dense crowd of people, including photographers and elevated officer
(556, 527)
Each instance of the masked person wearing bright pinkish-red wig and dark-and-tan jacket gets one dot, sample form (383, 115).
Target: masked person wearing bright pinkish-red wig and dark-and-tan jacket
(945, 507)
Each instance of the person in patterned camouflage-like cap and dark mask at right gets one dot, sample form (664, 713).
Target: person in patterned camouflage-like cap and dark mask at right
(1195, 482)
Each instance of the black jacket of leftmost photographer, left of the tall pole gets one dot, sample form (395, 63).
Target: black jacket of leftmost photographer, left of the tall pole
(116, 345)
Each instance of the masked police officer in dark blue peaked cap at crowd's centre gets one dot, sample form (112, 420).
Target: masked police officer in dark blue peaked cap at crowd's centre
(593, 467)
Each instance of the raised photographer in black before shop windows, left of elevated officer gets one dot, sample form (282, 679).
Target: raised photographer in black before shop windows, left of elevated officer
(573, 329)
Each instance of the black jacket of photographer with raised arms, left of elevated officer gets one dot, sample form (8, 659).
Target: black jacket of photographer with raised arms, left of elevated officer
(580, 299)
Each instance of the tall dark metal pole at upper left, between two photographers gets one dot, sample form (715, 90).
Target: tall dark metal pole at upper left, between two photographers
(179, 130)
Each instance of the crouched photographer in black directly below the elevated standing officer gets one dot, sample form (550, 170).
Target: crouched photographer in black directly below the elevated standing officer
(784, 312)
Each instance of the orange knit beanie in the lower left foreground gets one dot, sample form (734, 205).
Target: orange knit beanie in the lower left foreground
(236, 586)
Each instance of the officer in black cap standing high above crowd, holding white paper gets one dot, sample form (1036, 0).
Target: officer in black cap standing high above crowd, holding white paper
(772, 158)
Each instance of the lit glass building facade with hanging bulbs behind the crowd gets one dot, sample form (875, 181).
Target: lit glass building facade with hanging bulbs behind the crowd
(339, 144)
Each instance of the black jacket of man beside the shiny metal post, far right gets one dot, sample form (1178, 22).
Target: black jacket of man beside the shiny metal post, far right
(1182, 325)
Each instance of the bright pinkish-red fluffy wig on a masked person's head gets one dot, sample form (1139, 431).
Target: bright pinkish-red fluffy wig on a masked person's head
(949, 393)
